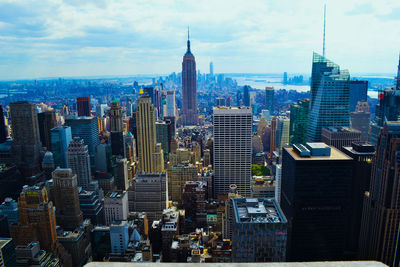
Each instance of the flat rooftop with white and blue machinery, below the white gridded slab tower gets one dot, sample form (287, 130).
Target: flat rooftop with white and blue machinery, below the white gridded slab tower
(257, 210)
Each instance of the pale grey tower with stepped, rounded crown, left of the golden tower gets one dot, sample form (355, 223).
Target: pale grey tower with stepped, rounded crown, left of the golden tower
(78, 160)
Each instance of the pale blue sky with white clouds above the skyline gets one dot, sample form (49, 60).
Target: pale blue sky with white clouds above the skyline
(52, 38)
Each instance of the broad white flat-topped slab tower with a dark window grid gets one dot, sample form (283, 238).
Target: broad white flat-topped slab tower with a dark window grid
(232, 149)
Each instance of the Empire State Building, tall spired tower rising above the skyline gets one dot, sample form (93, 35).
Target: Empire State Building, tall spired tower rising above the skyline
(189, 88)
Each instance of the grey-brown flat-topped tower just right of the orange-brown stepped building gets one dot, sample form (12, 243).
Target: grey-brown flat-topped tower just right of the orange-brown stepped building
(68, 212)
